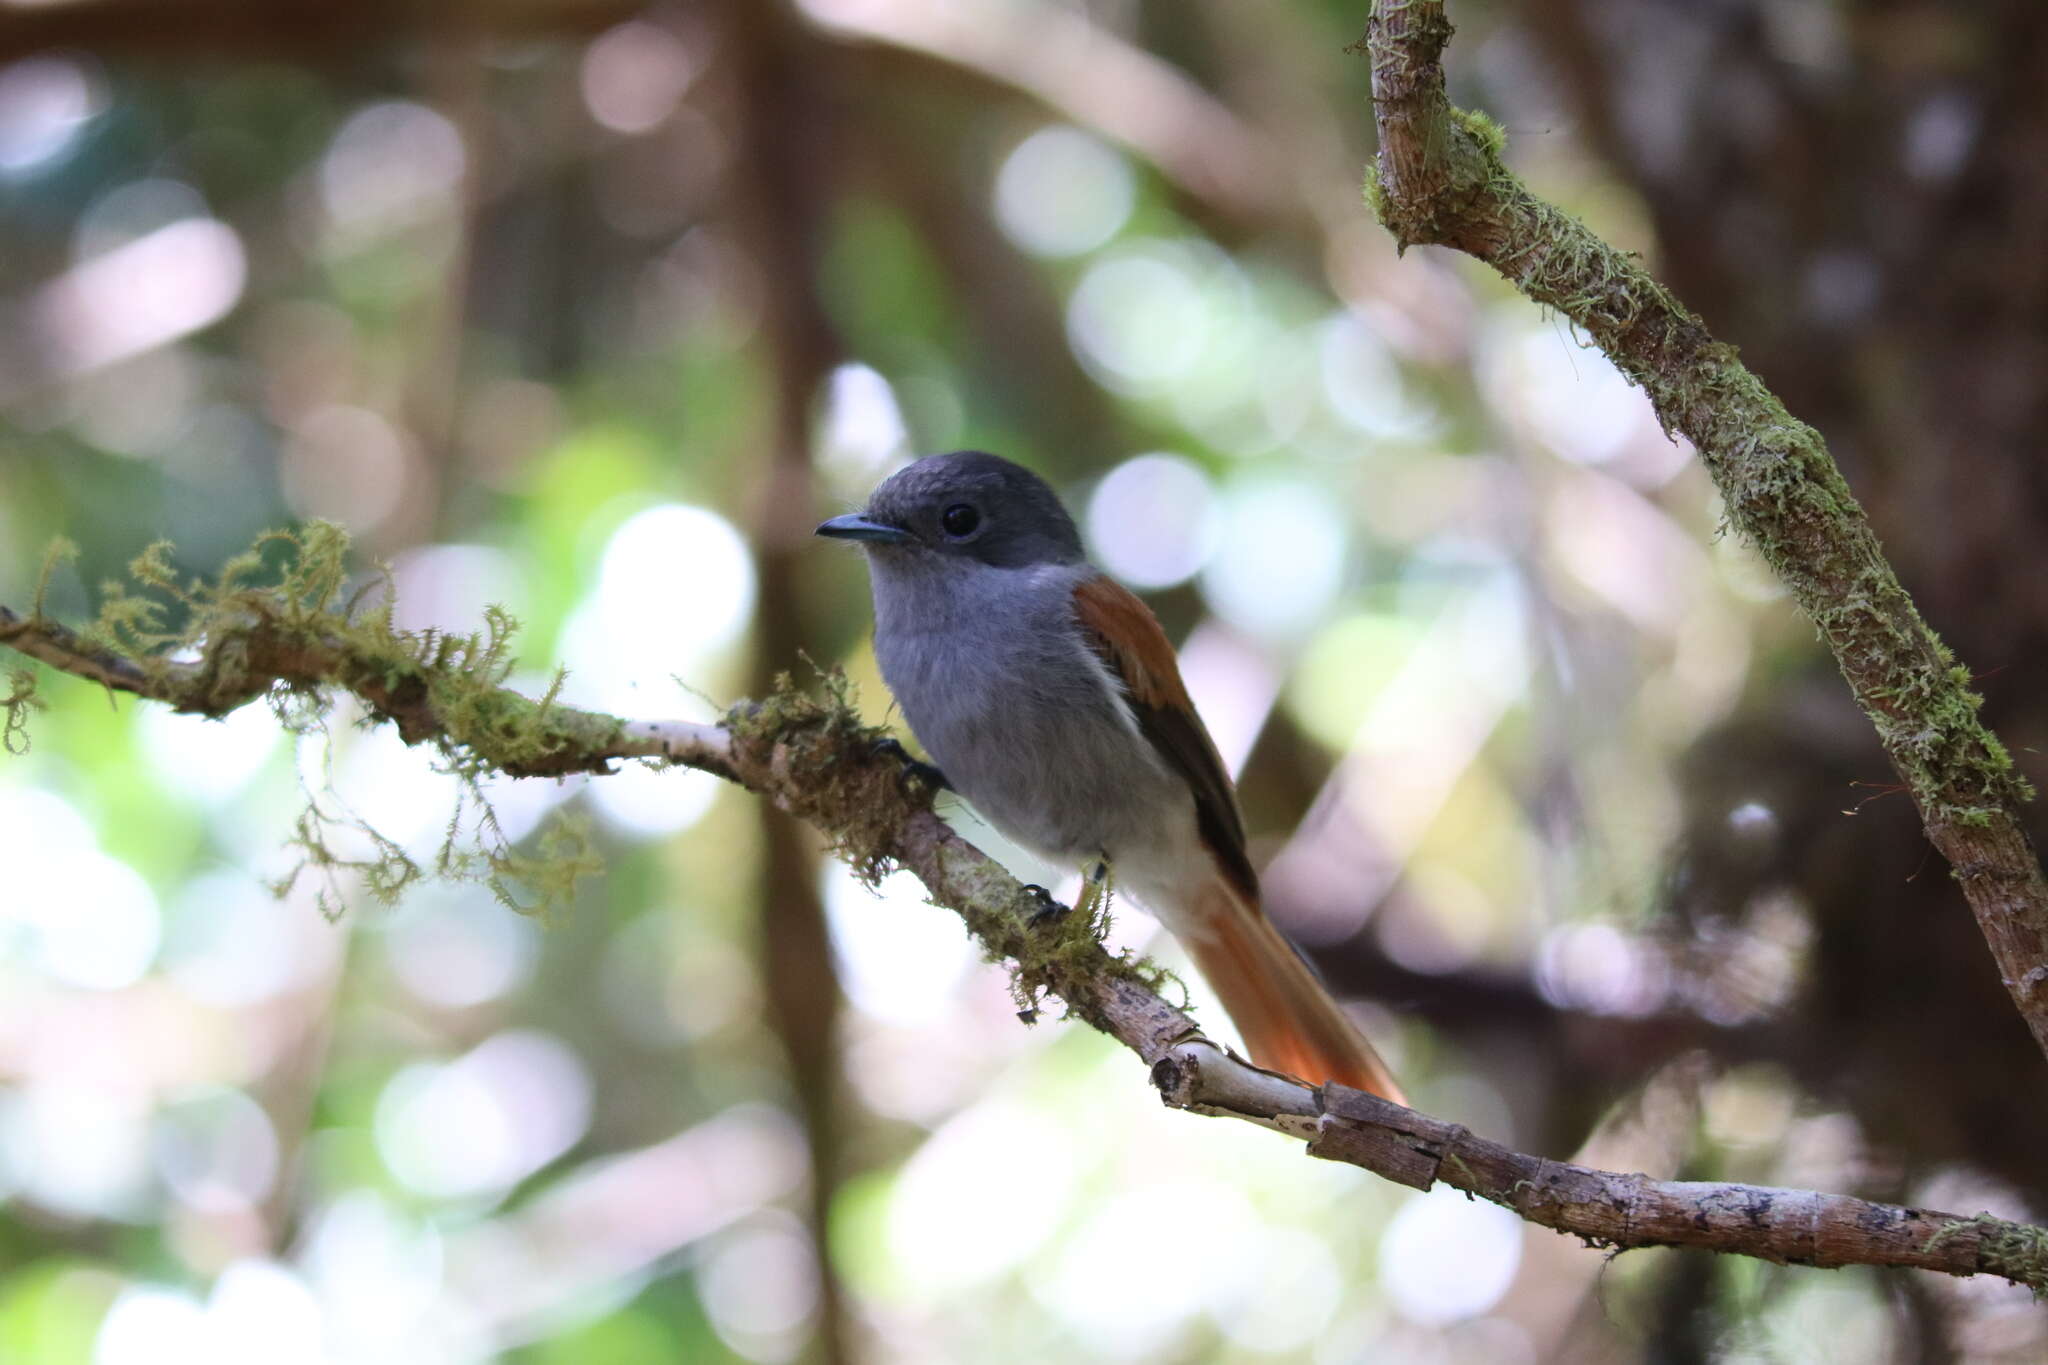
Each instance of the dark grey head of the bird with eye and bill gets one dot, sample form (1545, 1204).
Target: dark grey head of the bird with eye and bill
(964, 507)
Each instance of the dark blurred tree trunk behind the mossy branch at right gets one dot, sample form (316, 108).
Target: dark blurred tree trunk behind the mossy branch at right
(1852, 193)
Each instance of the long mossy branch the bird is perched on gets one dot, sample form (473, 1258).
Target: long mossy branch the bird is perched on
(816, 760)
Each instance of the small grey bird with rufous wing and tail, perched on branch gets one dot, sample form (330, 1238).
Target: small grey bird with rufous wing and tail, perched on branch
(1052, 701)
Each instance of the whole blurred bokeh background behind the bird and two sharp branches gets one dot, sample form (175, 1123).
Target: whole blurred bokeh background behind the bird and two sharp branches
(591, 310)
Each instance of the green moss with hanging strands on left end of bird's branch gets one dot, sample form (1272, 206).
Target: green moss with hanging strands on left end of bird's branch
(286, 607)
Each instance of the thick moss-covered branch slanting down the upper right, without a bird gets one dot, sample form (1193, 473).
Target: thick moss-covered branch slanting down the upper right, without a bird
(1443, 181)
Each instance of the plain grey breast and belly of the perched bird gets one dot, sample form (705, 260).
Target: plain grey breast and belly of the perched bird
(1015, 709)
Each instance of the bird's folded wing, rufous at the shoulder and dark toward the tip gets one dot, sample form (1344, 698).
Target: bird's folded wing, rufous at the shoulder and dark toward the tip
(1132, 642)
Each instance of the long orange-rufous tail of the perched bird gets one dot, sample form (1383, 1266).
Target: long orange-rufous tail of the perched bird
(1283, 1010)
